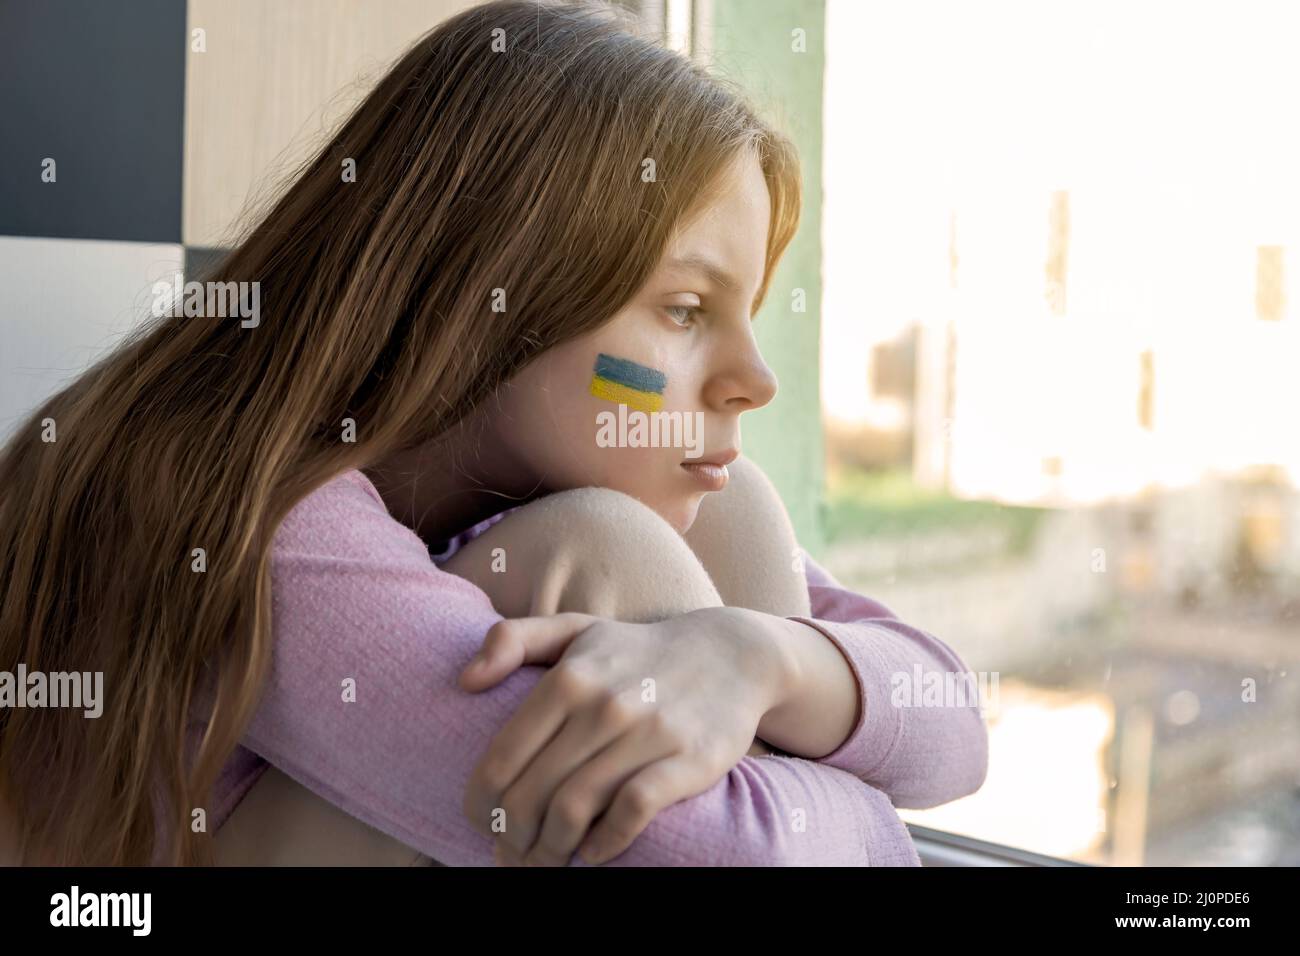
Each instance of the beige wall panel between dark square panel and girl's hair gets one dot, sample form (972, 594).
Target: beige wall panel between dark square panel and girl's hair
(276, 79)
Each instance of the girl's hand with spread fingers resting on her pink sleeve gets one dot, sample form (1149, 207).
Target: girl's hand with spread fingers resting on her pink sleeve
(630, 720)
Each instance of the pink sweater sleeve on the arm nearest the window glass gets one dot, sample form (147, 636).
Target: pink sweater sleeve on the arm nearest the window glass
(920, 756)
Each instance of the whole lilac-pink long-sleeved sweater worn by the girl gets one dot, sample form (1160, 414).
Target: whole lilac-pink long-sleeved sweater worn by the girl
(357, 595)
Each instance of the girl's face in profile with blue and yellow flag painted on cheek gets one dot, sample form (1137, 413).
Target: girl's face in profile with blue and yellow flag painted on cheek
(649, 404)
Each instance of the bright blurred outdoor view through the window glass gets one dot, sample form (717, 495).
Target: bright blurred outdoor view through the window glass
(1060, 352)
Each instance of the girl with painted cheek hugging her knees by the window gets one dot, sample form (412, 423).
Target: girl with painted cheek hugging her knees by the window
(552, 218)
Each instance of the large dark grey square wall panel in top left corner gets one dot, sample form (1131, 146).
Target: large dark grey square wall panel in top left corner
(101, 89)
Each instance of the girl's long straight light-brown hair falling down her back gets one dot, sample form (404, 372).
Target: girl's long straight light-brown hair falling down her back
(476, 171)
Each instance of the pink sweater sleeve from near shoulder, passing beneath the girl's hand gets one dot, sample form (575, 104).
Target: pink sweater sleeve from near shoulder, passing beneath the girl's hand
(363, 708)
